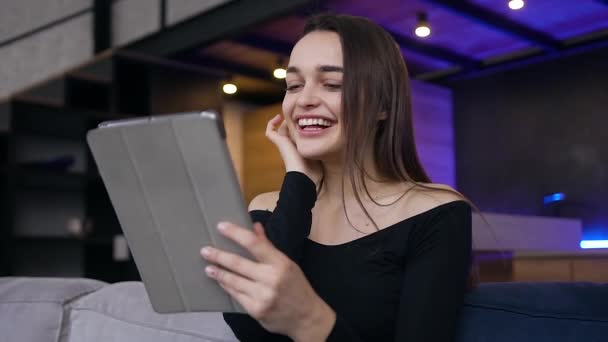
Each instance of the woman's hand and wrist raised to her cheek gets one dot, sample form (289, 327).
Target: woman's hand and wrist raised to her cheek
(278, 132)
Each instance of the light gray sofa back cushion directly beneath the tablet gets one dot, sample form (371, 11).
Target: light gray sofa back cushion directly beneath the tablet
(122, 312)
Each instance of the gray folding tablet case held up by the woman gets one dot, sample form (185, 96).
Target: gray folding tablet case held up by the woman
(171, 180)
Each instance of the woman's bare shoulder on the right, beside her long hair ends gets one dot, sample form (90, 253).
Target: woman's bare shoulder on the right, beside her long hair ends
(431, 195)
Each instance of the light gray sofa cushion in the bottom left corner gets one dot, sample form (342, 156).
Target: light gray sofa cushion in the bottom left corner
(31, 309)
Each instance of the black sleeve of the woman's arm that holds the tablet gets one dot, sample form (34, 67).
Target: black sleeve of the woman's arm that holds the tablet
(434, 283)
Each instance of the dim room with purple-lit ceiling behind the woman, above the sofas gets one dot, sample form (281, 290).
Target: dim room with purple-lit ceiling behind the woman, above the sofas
(510, 108)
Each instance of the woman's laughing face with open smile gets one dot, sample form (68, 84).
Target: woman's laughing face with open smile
(313, 100)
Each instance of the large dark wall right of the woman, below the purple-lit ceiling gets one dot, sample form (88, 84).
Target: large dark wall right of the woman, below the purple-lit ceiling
(541, 129)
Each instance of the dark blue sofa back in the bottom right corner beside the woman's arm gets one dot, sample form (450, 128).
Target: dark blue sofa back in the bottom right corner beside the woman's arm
(536, 312)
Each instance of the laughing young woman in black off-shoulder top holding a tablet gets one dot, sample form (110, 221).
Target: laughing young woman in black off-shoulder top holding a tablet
(358, 245)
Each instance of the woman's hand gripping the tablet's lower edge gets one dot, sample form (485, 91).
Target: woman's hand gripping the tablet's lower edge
(273, 289)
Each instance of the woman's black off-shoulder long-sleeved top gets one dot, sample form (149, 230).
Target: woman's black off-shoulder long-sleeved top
(436, 254)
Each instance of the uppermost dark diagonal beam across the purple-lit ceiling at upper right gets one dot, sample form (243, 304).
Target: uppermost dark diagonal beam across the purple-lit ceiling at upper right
(499, 22)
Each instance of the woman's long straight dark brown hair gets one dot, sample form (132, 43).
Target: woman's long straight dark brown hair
(376, 107)
